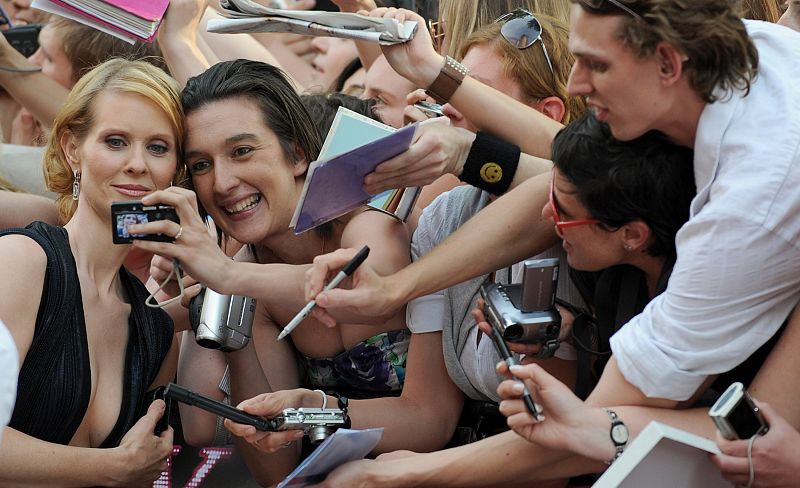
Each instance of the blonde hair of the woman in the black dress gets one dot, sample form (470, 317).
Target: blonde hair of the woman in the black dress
(76, 117)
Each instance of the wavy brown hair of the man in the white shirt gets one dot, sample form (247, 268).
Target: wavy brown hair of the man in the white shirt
(710, 33)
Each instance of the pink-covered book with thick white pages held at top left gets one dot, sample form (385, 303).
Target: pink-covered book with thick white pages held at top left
(127, 19)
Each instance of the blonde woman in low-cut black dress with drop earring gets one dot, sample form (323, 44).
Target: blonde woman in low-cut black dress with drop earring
(90, 349)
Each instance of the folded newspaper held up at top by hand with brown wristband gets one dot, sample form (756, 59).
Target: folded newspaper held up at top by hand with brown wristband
(245, 16)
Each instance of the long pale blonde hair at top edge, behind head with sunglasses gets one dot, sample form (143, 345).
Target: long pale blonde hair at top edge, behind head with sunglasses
(463, 17)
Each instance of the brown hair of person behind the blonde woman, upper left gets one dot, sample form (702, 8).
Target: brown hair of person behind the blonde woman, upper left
(86, 47)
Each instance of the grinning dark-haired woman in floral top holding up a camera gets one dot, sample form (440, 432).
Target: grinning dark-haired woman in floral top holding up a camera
(249, 143)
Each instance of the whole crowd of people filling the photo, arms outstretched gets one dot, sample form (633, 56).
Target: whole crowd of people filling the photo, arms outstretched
(649, 145)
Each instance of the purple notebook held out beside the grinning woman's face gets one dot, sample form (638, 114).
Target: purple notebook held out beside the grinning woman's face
(335, 186)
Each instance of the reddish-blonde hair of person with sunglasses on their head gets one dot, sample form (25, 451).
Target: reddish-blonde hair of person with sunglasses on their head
(529, 67)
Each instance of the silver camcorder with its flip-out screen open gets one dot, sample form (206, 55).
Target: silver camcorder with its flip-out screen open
(526, 312)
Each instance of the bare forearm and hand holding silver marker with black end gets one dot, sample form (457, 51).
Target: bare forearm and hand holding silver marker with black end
(505, 232)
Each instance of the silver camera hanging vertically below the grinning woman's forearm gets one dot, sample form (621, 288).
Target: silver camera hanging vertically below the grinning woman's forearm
(223, 322)
